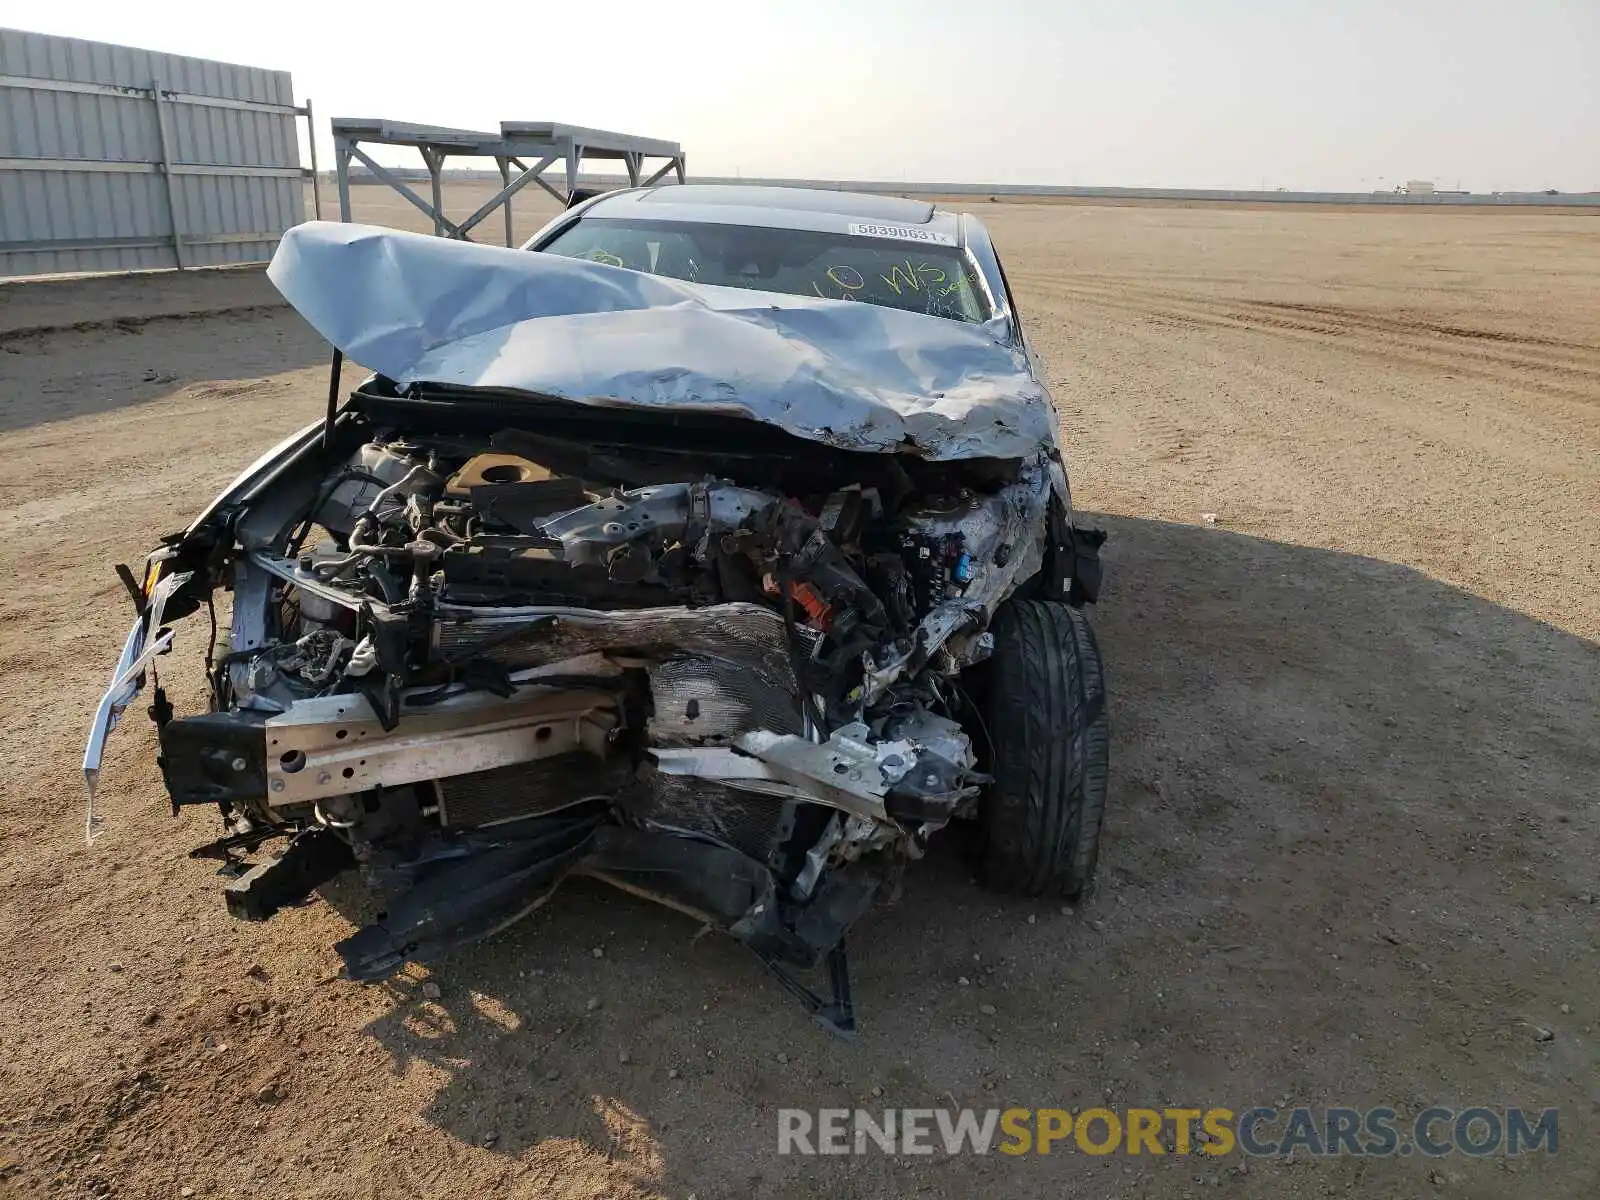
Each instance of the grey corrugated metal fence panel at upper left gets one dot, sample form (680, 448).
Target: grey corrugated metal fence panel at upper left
(118, 159)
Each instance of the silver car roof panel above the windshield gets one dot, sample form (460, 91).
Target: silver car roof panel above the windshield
(814, 209)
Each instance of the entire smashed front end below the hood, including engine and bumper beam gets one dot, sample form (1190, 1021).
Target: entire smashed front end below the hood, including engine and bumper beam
(474, 660)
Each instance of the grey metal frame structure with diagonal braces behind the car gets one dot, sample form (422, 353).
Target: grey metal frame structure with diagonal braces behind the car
(519, 143)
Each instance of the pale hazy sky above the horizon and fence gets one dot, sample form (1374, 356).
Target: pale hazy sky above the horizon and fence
(1206, 94)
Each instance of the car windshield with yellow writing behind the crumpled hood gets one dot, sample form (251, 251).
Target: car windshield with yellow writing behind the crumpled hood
(894, 273)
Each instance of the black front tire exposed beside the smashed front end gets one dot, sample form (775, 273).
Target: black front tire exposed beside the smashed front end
(1050, 753)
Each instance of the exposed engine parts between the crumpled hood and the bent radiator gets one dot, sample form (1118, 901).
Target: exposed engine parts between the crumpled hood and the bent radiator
(449, 530)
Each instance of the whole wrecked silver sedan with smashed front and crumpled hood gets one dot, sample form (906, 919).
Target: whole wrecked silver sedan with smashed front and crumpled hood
(719, 550)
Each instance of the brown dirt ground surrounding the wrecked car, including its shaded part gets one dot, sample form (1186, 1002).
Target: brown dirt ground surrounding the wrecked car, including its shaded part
(1351, 847)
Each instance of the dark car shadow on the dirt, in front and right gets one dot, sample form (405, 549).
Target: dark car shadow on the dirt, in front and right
(1348, 825)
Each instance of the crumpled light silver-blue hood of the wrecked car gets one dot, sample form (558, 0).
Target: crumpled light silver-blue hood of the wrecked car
(858, 377)
